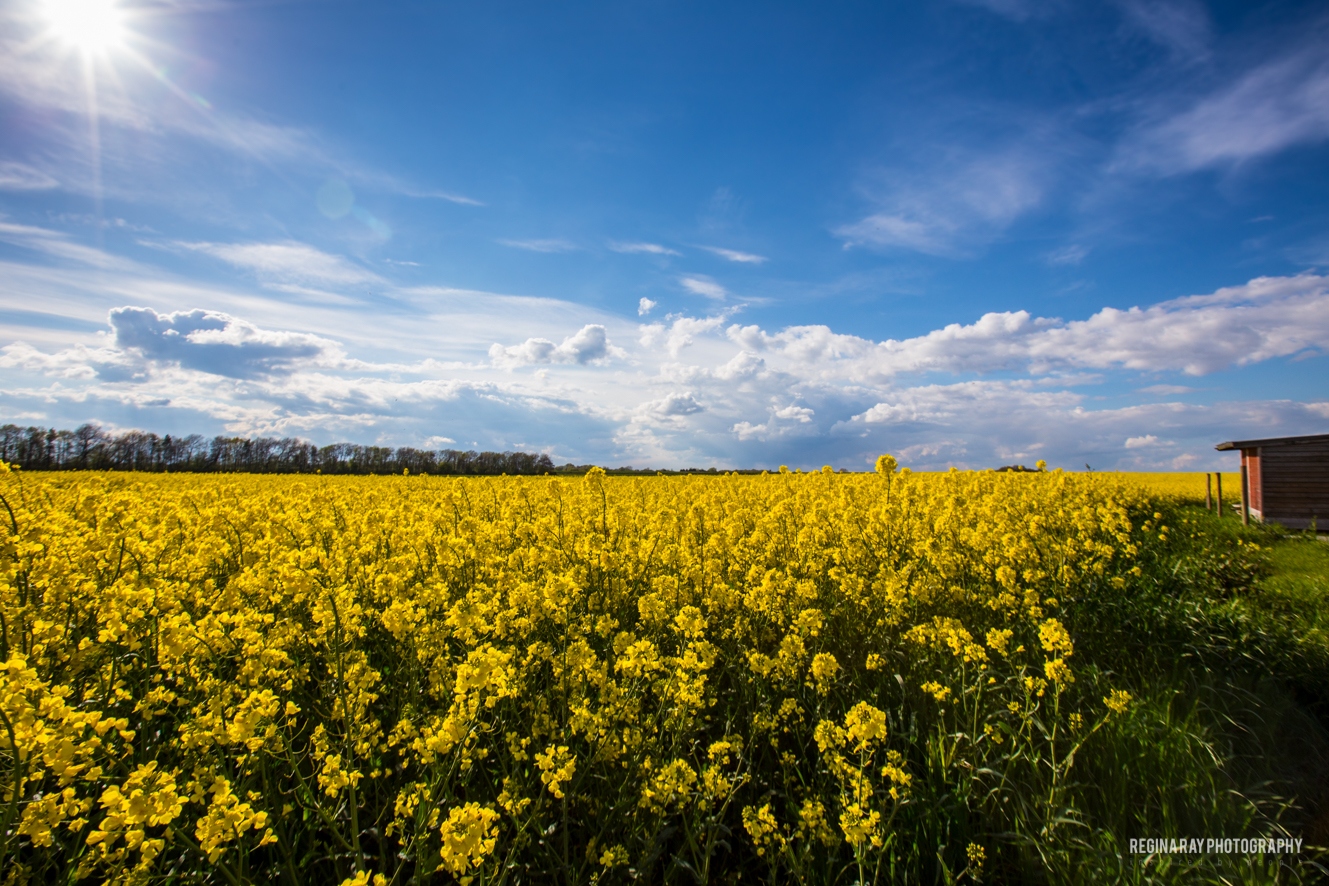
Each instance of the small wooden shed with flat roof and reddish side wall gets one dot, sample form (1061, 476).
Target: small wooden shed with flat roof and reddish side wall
(1286, 480)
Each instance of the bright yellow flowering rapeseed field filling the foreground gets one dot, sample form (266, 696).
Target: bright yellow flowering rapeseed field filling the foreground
(407, 679)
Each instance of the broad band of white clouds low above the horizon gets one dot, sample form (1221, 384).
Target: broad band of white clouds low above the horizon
(684, 390)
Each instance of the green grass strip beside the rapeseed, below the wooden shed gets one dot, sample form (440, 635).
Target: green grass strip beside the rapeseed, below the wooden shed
(1226, 642)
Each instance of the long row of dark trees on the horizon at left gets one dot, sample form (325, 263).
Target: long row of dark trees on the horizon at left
(91, 448)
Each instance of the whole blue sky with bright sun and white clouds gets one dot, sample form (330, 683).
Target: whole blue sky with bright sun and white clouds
(669, 234)
